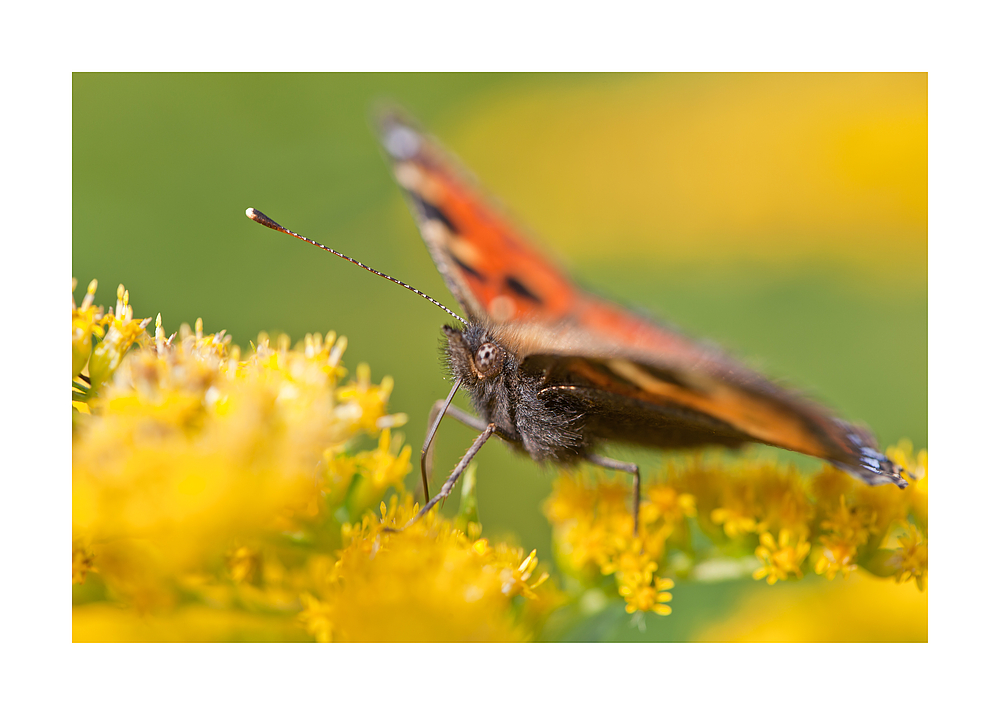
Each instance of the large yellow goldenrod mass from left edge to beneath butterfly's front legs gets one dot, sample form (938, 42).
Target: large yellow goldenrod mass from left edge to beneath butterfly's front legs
(222, 496)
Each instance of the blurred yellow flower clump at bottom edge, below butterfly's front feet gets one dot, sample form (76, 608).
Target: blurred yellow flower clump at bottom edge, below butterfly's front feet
(429, 582)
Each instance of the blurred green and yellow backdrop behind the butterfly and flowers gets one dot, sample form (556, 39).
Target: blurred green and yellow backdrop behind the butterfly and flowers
(782, 216)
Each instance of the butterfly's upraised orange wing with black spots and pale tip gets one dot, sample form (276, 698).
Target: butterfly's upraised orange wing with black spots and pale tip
(493, 271)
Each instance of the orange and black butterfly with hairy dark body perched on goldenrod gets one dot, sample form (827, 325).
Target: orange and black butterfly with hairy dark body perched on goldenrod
(557, 372)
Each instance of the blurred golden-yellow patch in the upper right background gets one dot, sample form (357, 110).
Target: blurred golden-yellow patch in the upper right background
(727, 167)
